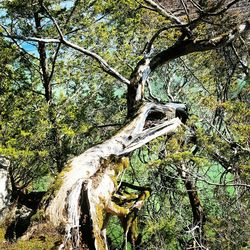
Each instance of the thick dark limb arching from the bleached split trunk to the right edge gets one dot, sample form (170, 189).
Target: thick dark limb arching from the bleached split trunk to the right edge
(145, 67)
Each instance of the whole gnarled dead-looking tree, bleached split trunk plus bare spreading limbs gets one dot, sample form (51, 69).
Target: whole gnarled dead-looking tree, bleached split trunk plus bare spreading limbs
(88, 184)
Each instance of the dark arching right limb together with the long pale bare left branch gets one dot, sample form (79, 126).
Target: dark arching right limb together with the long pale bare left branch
(145, 67)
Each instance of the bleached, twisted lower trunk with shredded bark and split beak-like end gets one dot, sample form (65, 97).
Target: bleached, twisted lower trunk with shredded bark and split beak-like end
(96, 172)
